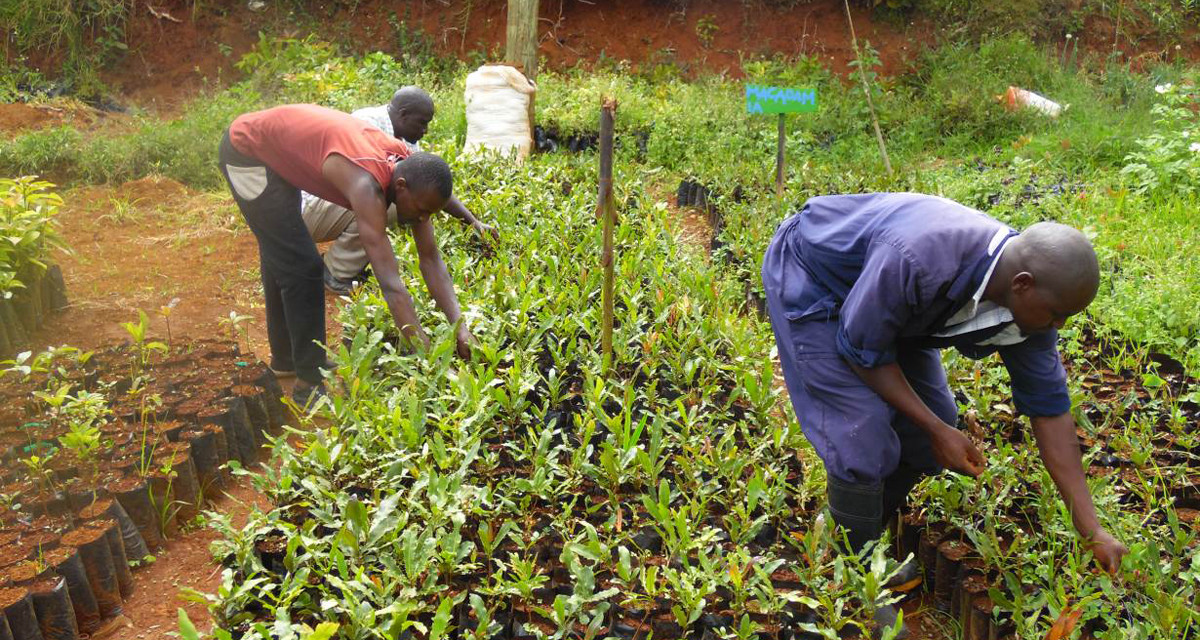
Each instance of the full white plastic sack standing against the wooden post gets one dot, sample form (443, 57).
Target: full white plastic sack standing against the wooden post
(499, 99)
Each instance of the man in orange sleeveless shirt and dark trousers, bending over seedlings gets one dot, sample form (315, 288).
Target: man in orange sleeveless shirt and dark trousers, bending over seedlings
(268, 158)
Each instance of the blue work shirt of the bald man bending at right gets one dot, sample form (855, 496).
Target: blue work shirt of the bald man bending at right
(893, 268)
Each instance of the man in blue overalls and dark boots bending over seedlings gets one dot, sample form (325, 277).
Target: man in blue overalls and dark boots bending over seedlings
(863, 291)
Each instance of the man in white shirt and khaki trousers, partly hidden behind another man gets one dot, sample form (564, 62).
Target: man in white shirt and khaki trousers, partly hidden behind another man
(406, 117)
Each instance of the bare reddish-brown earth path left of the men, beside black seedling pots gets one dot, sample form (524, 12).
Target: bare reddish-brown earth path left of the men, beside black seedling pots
(141, 246)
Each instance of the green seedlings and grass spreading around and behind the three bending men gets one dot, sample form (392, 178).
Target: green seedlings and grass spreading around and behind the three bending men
(524, 492)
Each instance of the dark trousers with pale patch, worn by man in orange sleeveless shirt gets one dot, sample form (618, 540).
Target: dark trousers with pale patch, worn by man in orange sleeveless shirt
(289, 260)
